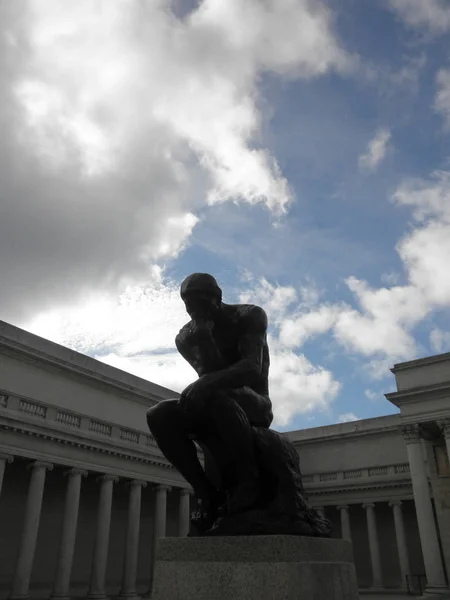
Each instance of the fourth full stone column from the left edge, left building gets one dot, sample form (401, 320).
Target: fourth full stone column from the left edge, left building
(131, 551)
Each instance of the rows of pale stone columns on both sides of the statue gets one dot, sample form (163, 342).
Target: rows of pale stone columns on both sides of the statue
(436, 581)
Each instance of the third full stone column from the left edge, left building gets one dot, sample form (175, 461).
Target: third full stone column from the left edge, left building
(100, 558)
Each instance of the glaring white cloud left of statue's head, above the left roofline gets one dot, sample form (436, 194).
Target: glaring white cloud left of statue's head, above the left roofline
(142, 319)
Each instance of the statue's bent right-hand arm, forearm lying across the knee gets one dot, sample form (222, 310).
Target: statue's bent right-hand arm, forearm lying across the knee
(247, 370)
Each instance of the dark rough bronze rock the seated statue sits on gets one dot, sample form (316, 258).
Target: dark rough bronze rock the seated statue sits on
(280, 506)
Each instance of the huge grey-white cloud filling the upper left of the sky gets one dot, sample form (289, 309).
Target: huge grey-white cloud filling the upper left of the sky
(120, 121)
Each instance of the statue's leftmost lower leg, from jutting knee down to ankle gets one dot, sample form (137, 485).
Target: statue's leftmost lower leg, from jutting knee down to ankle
(171, 430)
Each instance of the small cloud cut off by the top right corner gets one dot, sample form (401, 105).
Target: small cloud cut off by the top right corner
(433, 15)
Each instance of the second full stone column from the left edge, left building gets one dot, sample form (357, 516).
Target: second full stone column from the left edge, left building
(61, 584)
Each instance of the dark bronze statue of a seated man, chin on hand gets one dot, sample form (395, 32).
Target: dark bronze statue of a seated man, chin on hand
(251, 481)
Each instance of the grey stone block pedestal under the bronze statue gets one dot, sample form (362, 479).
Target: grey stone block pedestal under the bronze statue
(278, 567)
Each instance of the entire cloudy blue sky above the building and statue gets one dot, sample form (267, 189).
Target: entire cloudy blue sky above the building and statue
(297, 150)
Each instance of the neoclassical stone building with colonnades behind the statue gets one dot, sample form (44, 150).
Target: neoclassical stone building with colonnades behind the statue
(85, 492)
